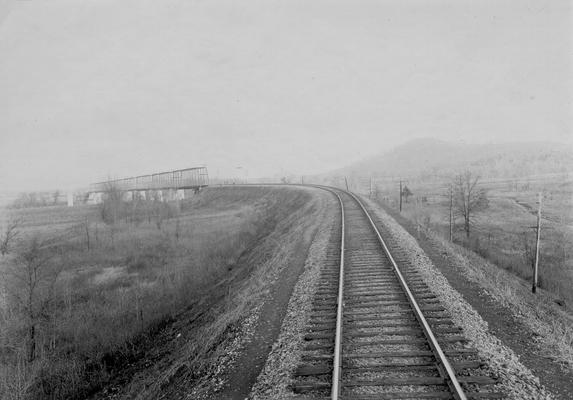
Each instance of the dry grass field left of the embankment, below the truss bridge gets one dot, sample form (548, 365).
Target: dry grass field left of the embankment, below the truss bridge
(80, 295)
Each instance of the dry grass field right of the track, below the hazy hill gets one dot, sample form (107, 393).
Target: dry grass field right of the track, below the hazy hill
(504, 233)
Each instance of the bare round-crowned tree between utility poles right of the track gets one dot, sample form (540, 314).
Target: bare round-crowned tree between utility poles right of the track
(469, 198)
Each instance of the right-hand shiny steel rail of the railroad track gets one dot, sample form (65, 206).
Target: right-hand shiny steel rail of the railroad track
(458, 391)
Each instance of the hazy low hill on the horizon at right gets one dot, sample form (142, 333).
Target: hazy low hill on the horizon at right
(432, 157)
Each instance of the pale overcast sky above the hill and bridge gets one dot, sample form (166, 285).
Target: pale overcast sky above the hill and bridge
(90, 88)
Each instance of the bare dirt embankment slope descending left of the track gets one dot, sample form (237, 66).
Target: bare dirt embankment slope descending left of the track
(246, 308)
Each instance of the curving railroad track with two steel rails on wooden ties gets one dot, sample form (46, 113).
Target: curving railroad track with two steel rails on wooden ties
(376, 330)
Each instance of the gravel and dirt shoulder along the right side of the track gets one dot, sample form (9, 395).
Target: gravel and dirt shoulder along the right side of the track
(520, 347)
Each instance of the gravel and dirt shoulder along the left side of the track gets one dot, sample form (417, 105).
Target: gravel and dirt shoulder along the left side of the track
(257, 346)
